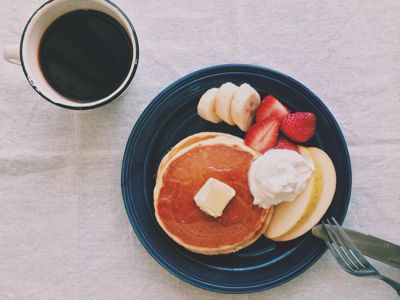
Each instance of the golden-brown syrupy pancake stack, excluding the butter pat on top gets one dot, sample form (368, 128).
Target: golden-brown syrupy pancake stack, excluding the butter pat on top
(184, 170)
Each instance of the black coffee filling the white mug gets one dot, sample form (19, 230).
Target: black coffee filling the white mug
(85, 55)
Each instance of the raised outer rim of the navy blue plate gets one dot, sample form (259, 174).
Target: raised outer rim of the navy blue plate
(157, 100)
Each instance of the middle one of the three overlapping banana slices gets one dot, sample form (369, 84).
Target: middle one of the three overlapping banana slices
(224, 100)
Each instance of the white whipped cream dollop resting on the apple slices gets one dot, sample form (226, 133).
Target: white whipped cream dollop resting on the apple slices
(278, 175)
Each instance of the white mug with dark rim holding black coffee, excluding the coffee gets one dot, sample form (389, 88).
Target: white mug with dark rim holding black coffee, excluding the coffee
(26, 53)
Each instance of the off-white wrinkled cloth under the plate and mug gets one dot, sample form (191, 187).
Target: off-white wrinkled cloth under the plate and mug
(64, 233)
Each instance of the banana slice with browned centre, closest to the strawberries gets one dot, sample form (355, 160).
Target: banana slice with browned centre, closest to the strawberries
(244, 105)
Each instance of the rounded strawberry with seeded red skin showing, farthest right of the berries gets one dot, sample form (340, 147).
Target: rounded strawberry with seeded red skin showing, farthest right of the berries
(299, 127)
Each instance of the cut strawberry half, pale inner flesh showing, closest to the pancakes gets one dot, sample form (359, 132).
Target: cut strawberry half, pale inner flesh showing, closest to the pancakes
(263, 135)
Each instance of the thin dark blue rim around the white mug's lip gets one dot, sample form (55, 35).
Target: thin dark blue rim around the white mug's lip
(135, 62)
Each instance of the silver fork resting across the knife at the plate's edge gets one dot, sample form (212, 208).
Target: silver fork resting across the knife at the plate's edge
(349, 257)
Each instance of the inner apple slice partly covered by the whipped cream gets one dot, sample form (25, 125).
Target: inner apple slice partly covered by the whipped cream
(287, 214)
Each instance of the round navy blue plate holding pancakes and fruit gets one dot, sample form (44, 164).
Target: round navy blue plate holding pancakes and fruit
(172, 116)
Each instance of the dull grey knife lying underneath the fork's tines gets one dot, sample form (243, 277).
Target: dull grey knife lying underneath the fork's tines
(369, 245)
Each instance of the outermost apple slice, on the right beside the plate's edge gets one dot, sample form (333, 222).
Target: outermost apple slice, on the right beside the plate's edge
(325, 181)
